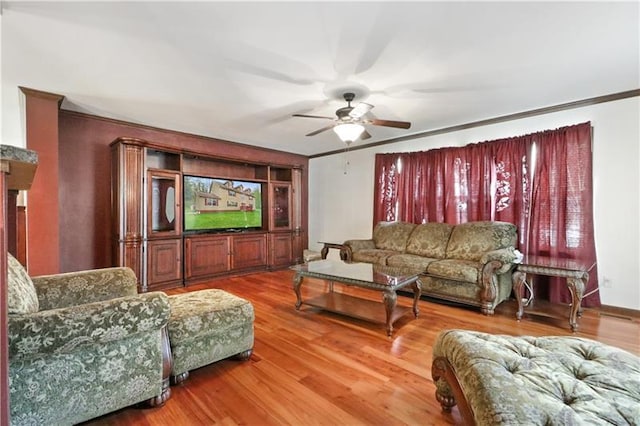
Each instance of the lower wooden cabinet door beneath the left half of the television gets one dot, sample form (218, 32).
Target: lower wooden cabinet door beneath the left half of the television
(208, 255)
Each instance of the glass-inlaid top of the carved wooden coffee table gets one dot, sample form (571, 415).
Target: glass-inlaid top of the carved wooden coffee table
(365, 273)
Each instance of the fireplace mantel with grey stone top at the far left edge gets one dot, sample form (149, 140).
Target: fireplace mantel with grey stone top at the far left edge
(17, 167)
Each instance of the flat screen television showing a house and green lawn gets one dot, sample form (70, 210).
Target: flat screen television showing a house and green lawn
(212, 204)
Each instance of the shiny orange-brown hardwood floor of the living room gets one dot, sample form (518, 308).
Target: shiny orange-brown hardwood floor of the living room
(315, 368)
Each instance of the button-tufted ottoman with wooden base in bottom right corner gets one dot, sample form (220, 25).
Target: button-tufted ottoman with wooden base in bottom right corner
(552, 380)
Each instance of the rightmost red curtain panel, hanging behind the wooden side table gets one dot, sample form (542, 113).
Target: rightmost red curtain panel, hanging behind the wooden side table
(562, 203)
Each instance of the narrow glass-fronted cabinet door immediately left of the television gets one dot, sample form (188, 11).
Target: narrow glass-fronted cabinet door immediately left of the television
(164, 203)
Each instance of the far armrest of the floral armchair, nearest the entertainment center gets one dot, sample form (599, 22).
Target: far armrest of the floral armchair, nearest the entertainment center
(74, 288)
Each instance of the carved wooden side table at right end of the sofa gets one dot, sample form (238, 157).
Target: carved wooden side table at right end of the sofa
(576, 273)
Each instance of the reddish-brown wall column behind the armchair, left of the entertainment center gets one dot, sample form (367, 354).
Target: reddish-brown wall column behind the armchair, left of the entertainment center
(43, 236)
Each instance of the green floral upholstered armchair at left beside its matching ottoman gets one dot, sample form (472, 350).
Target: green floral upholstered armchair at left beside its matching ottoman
(83, 344)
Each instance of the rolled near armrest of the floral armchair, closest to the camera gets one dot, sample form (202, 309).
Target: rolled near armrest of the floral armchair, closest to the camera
(64, 330)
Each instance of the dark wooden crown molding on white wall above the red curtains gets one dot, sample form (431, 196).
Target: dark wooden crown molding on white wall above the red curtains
(500, 119)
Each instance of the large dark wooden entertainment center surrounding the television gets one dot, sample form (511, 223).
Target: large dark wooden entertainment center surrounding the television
(148, 216)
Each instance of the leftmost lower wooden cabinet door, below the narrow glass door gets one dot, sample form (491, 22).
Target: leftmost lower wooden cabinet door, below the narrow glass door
(164, 262)
